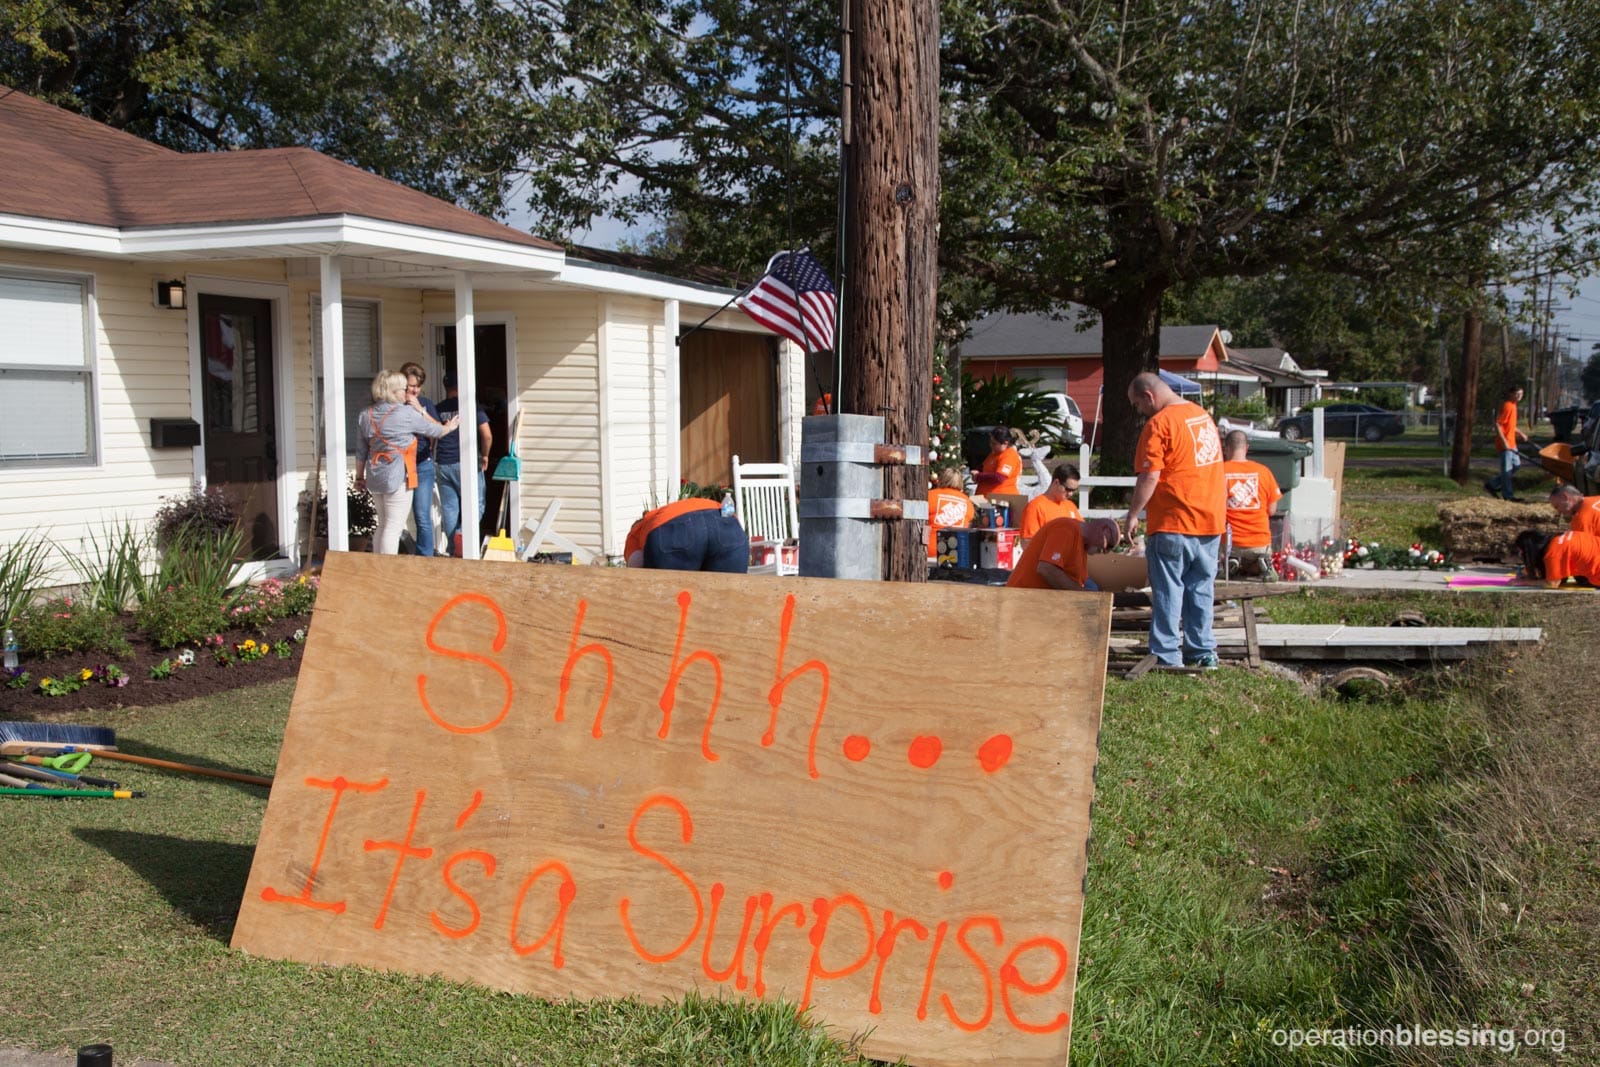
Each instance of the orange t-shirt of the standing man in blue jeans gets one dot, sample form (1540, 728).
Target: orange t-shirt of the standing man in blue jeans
(1182, 442)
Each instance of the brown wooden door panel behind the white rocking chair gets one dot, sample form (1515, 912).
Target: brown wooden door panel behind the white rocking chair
(729, 404)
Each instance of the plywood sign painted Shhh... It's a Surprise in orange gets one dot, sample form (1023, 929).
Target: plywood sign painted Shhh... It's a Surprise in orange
(871, 801)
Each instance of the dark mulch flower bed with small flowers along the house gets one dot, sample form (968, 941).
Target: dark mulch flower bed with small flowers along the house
(202, 679)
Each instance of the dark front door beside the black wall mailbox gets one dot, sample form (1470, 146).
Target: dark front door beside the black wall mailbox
(241, 422)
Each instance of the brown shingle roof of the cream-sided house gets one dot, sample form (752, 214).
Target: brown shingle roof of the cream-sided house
(58, 166)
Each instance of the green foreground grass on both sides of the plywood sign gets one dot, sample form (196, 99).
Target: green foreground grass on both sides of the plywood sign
(1254, 866)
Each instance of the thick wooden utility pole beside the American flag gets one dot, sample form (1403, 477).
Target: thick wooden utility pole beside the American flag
(892, 239)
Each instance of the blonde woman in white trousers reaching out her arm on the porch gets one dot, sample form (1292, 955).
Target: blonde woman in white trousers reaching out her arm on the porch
(386, 449)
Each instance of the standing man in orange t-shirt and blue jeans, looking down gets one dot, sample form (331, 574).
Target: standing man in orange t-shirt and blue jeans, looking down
(1178, 466)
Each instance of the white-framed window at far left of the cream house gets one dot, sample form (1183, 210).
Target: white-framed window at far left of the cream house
(47, 372)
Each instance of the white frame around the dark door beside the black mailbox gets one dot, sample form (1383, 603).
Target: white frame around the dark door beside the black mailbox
(282, 391)
